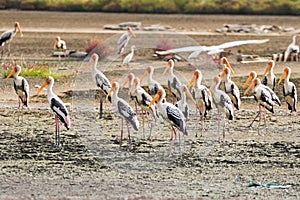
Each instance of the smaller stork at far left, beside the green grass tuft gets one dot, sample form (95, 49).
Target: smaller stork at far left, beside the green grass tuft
(21, 86)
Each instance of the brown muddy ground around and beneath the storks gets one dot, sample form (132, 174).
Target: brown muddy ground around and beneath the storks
(90, 163)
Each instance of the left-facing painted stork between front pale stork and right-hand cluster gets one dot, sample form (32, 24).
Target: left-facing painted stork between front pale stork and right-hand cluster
(231, 88)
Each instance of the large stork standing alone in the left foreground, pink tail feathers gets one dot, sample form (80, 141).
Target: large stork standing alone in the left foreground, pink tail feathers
(58, 107)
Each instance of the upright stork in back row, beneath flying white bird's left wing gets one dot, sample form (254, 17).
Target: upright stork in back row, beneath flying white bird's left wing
(174, 84)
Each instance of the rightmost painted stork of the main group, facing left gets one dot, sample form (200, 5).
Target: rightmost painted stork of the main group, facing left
(289, 90)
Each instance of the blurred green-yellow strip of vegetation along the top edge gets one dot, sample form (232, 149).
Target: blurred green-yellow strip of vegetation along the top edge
(272, 7)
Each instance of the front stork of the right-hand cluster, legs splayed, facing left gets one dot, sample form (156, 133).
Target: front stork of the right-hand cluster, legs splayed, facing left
(263, 97)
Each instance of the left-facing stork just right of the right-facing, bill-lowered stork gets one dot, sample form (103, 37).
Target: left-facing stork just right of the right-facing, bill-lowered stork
(201, 96)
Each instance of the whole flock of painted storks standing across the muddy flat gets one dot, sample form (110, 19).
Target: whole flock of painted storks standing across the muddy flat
(223, 92)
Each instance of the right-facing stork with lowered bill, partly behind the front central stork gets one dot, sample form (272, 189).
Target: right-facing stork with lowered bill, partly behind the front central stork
(182, 103)
